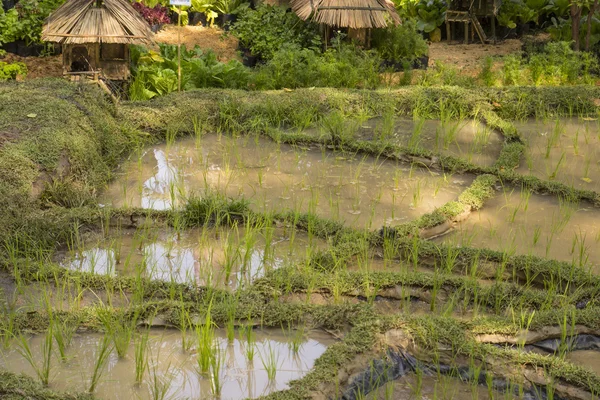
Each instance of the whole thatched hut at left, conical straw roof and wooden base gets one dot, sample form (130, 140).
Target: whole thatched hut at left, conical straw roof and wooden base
(95, 36)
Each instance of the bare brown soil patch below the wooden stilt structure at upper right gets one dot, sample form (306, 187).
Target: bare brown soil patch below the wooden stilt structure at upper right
(469, 57)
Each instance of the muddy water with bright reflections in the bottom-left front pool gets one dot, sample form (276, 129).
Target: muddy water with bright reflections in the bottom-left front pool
(176, 371)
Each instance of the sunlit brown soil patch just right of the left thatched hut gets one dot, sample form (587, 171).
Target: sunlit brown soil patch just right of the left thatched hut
(207, 38)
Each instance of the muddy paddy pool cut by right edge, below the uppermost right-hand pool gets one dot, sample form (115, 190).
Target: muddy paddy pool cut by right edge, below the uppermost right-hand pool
(521, 223)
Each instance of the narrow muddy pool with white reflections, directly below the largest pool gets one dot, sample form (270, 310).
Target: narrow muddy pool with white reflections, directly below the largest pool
(223, 257)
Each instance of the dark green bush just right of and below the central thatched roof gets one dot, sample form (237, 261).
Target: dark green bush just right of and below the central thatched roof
(400, 43)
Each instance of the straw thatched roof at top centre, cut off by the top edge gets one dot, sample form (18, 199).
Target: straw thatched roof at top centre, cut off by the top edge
(347, 13)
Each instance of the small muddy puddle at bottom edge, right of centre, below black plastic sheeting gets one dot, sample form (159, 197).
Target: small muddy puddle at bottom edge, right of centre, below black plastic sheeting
(441, 387)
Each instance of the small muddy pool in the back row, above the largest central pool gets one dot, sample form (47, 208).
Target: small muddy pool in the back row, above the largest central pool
(467, 139)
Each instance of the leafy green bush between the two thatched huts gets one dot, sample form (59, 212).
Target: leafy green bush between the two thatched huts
(268, 28)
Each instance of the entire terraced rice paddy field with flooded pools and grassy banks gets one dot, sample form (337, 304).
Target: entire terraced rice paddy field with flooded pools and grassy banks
(421, 243)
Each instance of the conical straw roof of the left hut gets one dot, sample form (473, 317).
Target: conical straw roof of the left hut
(82, 21)
